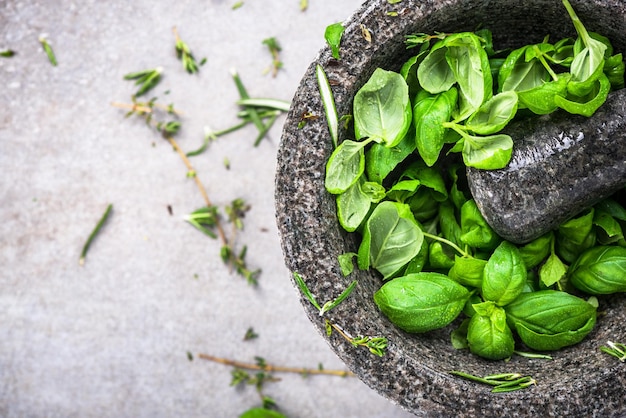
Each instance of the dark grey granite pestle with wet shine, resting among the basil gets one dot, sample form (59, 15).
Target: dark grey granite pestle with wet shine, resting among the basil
(561, 165)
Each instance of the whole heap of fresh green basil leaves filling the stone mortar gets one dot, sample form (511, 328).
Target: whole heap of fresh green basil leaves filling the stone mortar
(420, 228)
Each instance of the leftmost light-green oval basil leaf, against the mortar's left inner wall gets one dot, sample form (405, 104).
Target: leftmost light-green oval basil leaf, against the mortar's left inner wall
(345, 166)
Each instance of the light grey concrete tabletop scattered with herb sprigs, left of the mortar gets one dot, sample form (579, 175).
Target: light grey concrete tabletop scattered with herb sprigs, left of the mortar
(110, 338)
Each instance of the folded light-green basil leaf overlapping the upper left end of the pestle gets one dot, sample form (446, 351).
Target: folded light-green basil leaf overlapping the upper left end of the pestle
(488, 152)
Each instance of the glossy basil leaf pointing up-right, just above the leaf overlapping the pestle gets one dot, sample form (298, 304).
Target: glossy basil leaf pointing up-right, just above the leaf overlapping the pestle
(494, 114)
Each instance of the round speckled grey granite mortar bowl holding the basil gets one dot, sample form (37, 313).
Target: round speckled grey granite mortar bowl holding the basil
(580, 380)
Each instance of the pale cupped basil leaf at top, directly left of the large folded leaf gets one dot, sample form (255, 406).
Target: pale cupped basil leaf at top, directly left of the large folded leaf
(434, 73)
